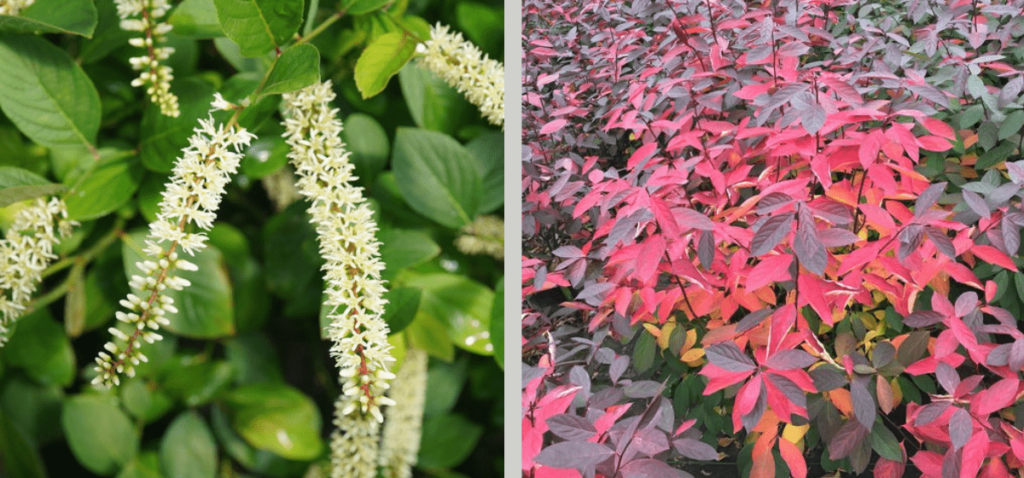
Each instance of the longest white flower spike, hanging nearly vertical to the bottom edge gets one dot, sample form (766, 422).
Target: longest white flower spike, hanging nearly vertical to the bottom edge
(348, 243)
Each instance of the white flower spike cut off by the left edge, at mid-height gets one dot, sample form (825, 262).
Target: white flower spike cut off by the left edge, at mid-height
(25, 252)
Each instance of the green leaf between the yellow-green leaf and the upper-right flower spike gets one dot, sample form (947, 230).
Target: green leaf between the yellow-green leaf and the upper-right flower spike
(434, 104)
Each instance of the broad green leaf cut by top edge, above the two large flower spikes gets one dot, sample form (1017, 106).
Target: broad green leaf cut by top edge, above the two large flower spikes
(260, 26)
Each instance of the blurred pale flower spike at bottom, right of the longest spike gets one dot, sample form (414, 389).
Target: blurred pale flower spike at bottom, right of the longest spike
(401, 442)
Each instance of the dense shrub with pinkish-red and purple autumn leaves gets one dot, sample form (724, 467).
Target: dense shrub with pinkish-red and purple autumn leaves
(788, 233)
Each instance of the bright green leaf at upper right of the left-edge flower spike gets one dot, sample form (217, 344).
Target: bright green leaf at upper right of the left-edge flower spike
(97, 194)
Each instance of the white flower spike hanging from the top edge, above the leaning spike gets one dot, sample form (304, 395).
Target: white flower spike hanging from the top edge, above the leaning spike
(156, 77)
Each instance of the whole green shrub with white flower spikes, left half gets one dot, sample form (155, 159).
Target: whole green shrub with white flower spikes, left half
(279, 251)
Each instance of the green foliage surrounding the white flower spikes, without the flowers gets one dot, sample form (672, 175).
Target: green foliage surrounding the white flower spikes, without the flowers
(242, 383)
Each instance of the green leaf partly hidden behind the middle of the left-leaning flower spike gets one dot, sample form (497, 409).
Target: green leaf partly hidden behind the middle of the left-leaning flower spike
(205, 309)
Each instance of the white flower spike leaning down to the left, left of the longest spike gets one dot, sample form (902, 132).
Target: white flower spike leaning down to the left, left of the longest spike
(192, 197)
